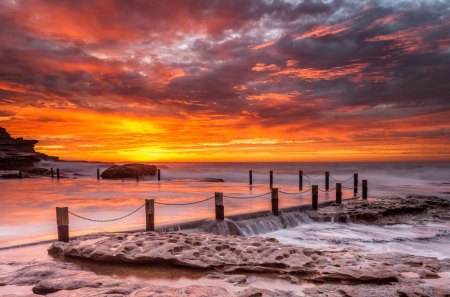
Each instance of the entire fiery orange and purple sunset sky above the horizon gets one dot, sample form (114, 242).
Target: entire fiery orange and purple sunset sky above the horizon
(210, 80)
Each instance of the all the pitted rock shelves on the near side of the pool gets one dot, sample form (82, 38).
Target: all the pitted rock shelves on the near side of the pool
(233, 259)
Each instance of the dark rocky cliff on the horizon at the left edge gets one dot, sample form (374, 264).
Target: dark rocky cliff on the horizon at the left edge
(18, 153)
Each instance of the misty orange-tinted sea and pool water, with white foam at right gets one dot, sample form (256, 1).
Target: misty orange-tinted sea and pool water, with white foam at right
(28, 205)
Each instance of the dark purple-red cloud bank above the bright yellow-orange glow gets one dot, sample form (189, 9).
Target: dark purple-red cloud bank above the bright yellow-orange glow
(197, 56)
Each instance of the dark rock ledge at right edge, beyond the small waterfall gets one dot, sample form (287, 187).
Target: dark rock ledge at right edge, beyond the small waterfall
(410, 209)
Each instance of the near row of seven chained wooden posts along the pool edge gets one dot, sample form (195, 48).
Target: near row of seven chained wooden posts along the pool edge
(62, 213)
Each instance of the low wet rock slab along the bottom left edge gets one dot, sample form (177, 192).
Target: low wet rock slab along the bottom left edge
(64, 279)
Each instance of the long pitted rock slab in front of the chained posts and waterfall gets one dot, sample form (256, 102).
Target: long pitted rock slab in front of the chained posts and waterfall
(253, 254)
